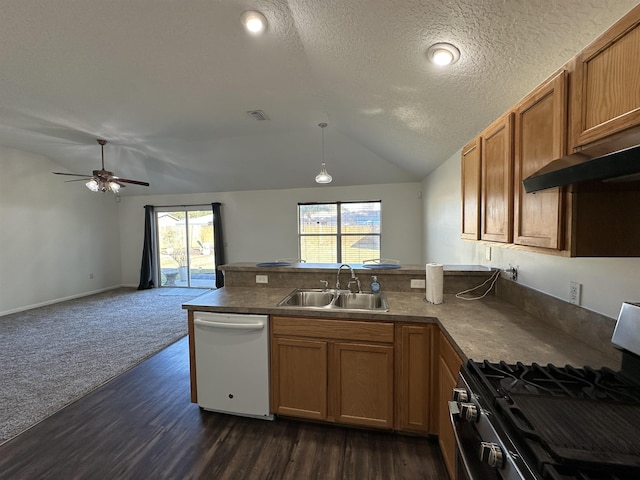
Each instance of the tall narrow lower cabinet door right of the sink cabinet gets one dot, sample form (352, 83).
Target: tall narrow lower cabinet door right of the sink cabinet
(414, 364)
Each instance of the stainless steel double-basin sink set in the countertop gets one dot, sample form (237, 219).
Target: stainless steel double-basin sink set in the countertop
(328, 299)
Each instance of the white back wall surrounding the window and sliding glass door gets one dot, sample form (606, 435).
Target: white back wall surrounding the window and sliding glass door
(262, 225)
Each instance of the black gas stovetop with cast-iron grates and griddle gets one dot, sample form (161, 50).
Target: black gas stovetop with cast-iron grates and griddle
(582, 422)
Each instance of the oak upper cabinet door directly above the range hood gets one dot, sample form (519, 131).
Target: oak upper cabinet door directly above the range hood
(606, 84)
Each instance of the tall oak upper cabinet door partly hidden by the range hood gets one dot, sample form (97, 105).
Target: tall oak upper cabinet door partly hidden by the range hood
(539, 139)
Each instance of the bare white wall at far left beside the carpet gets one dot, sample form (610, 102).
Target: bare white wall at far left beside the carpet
(52, 235)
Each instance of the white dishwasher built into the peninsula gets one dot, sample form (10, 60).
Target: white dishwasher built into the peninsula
(232, 363)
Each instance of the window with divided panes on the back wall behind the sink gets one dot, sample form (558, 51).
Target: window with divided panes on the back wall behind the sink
(339, 232)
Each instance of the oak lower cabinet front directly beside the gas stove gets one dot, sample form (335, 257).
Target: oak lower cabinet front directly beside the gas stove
(448, 366)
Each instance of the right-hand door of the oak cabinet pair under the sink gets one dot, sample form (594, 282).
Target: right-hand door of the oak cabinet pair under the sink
(361, 379)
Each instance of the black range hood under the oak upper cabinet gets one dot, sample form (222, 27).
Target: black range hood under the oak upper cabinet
(578, 167)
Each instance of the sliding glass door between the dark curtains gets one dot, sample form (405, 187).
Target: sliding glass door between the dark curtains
(185, 248)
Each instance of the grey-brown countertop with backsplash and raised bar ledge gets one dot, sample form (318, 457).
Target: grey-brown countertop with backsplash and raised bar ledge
(491, 328)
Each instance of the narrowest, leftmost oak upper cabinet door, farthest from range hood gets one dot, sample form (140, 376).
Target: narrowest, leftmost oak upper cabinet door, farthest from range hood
(471, 190)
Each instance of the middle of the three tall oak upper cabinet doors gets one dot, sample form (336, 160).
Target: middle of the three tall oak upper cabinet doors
(497, 180)
